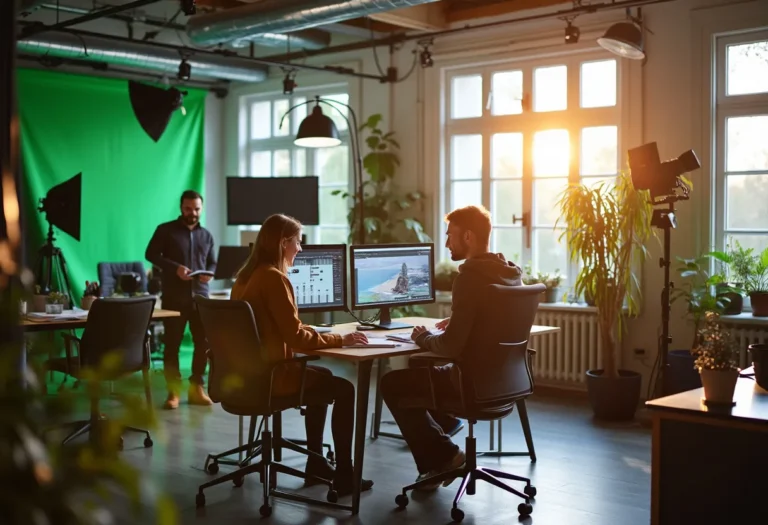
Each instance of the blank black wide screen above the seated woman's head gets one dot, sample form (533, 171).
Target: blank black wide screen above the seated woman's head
(250, 200)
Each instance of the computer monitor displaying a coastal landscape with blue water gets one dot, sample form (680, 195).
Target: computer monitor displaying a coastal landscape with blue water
(390, 275)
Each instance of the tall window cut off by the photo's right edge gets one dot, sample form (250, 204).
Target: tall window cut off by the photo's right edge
(741, 140)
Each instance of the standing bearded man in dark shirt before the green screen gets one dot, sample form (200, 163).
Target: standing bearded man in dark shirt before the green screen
(179, 248)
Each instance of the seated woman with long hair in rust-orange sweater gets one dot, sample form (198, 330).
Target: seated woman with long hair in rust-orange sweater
(264, 284)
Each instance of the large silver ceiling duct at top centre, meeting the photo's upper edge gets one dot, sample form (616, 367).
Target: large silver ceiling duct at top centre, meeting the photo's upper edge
(280, 16)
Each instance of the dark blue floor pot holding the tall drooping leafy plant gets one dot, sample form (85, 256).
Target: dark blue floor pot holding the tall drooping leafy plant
(614, 398)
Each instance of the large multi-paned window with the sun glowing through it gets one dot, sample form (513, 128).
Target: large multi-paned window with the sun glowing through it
(516, 135)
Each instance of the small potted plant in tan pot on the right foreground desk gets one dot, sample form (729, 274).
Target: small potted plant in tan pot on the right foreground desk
(716, 360)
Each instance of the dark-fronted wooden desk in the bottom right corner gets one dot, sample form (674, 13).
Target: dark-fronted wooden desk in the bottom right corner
(708, 465)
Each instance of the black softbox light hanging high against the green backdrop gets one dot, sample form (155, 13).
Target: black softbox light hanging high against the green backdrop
(153, 106)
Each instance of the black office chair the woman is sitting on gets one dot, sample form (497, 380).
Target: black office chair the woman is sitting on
(240, 379)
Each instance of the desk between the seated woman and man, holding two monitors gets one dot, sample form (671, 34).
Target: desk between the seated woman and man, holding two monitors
(364, 358)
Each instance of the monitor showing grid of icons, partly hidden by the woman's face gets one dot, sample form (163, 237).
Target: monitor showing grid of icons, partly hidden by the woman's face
(319, 278)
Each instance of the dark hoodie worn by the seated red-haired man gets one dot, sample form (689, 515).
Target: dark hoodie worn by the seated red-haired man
(474, 274)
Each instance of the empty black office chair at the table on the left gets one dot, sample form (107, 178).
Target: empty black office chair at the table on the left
(114, 325)
